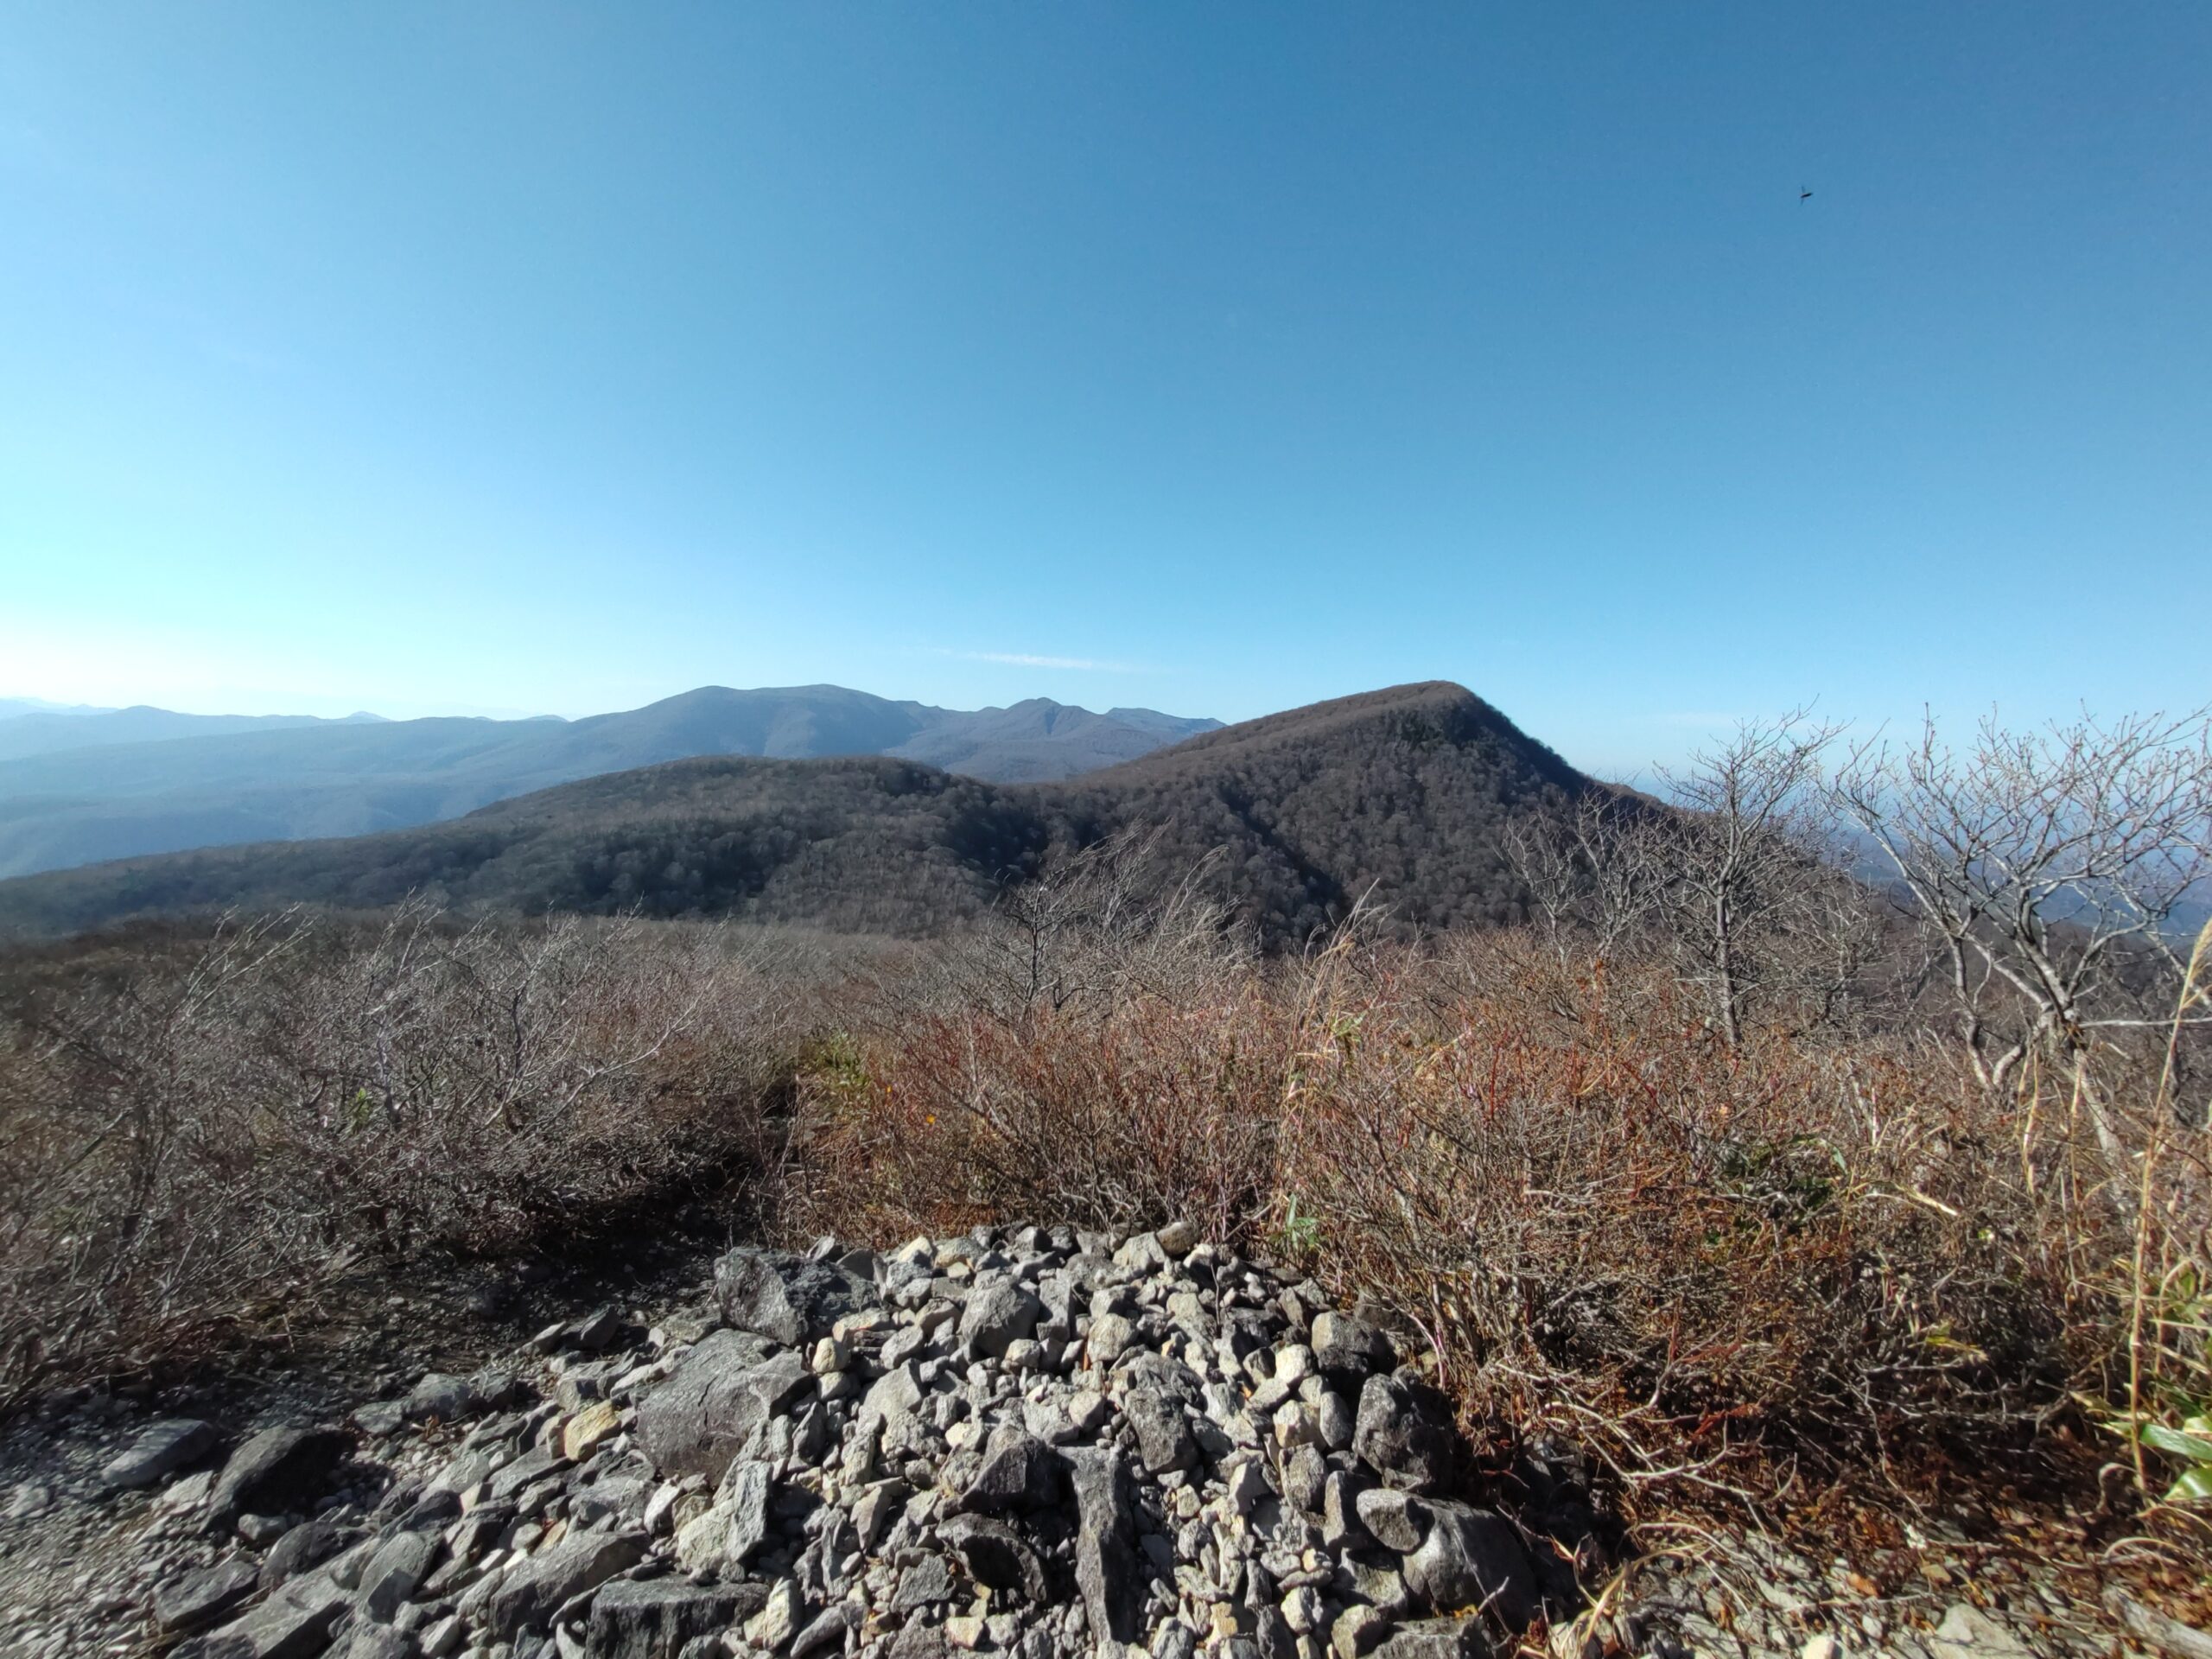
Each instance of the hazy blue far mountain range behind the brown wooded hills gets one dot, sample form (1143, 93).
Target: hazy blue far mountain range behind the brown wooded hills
(114, 784)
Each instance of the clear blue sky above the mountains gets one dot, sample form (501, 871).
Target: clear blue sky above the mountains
(1209, 357)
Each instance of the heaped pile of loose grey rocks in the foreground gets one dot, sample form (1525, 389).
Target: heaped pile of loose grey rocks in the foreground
(1012, 1443)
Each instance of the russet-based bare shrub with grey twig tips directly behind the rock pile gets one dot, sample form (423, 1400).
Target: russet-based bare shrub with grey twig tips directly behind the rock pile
(1092, 1054)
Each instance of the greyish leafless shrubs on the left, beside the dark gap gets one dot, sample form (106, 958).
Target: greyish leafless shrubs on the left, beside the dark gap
(200, 1138)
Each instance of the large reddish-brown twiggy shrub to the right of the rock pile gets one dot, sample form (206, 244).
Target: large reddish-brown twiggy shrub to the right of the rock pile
(1702, 1260)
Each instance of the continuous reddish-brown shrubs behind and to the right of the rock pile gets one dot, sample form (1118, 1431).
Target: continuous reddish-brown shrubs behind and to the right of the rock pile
(1726, 1269)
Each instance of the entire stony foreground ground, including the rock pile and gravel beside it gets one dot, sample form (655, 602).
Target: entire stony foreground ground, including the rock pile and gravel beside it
(1012, 1443)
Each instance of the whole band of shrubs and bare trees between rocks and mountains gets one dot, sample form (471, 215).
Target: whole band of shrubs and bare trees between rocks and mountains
(1738, 1162)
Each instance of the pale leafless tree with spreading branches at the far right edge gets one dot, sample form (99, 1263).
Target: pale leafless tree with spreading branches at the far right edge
(2047, 870)
